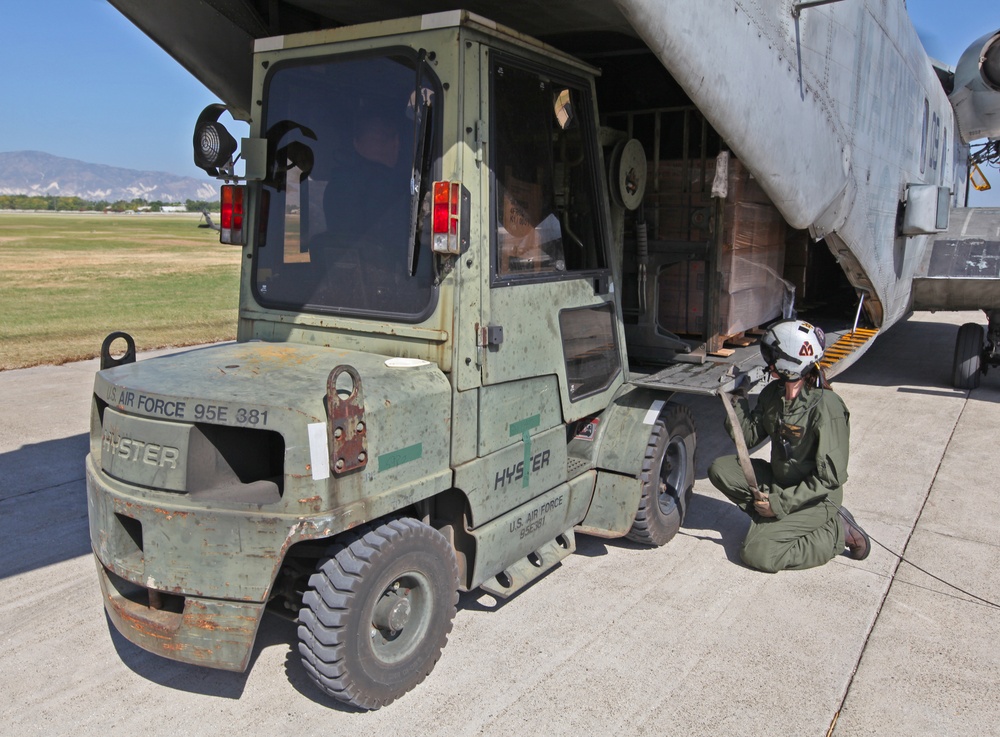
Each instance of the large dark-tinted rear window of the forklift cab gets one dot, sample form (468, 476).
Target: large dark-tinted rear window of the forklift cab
(337, 206)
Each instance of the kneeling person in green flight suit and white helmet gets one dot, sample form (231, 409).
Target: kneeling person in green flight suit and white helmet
(795, 526)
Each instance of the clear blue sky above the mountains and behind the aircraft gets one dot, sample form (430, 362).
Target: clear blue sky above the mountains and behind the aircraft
(81, 81)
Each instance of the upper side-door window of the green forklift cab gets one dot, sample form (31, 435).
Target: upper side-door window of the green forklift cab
(547, 224)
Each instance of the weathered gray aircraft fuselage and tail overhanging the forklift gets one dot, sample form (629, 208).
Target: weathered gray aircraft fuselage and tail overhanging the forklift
(834, 107)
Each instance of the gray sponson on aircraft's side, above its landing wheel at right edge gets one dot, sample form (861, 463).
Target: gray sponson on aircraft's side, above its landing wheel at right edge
(961, 269)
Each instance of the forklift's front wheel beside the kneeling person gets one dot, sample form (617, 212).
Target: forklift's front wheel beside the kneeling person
(667, 478)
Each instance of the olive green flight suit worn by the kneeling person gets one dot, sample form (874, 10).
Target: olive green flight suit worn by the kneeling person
(810, 439)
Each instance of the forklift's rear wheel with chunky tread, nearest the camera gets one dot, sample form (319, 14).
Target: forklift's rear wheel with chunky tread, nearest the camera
(378, 612)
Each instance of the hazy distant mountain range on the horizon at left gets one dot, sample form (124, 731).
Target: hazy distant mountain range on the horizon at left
(36, 173)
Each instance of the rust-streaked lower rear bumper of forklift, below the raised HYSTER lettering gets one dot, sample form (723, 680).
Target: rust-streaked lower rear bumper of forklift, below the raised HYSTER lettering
(183, 582)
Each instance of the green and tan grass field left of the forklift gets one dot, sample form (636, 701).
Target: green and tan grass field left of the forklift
(70, 279)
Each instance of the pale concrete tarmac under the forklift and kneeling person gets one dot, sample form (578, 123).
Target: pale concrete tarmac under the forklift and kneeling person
(618, 640)
